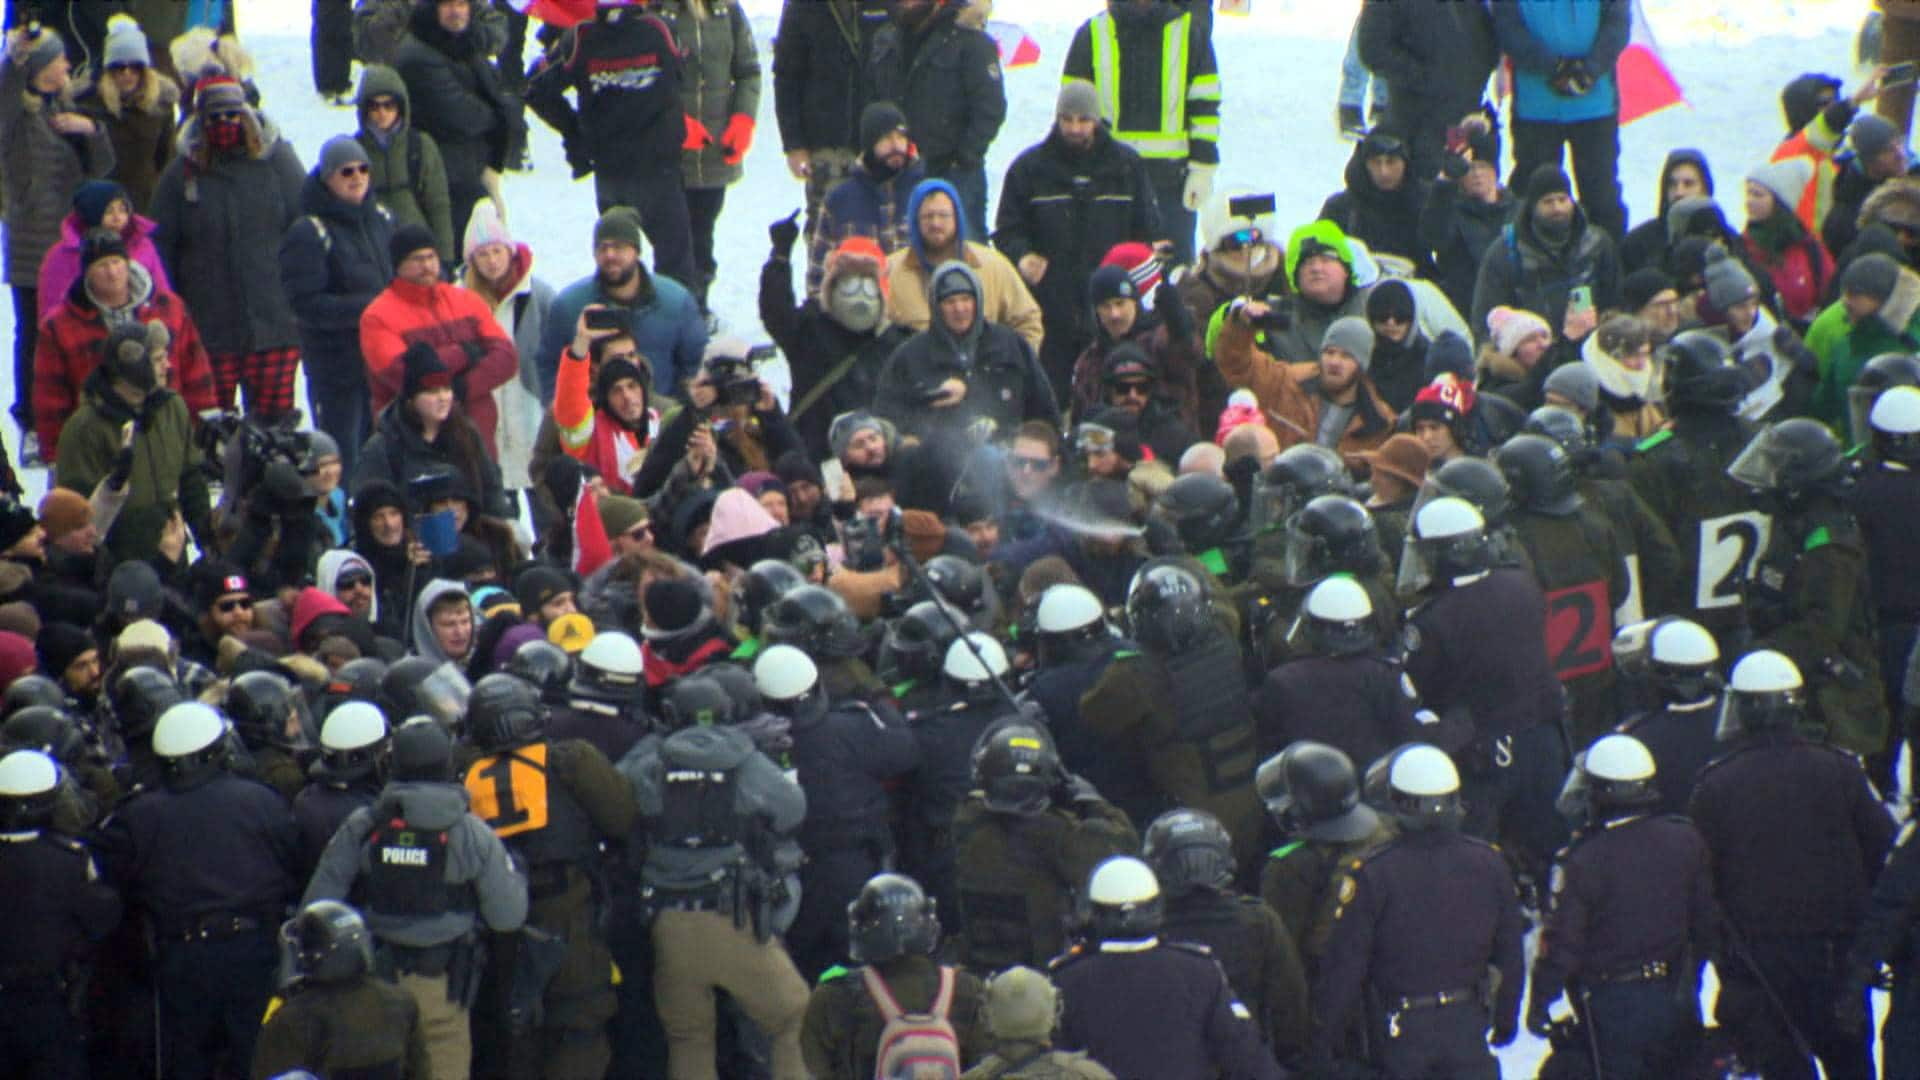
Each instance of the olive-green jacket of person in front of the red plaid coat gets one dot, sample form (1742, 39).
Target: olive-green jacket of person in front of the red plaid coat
(166, 466)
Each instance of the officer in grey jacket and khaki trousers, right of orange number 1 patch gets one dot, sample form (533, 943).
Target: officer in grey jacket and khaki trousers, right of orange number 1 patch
(719, 881)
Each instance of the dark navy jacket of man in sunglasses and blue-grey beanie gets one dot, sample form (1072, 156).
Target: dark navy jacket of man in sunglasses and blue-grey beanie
(333, 262)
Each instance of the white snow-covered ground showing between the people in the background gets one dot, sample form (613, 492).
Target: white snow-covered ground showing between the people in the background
(1280, 66)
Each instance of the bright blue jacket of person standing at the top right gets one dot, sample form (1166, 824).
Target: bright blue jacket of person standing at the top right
(1539, 34)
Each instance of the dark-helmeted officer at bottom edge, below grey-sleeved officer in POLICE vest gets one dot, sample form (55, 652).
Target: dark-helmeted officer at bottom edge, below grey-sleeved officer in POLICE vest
(339, 1018)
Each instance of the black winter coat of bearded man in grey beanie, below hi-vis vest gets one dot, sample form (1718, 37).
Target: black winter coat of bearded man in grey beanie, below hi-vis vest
(1072, 209)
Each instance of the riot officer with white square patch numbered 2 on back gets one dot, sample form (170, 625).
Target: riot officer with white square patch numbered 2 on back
(1681, 474)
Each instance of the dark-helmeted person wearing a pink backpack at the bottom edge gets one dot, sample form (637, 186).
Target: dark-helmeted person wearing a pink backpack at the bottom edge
(900, 1006)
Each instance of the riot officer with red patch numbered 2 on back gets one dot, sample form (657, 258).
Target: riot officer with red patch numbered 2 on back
(1581, 564)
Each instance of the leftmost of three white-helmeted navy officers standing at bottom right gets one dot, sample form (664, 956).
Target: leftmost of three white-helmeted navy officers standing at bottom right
(1420, 923)
